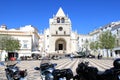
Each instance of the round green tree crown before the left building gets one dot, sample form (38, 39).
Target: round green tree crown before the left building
(9, 44)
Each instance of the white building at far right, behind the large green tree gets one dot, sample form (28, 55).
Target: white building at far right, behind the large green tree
(114, 28)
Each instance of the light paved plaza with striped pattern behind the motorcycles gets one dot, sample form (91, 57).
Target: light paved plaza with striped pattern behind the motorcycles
(61, 64)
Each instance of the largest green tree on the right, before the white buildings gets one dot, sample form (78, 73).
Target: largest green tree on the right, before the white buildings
(107, 41)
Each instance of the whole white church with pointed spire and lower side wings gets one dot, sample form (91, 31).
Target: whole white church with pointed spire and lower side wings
(59, 37)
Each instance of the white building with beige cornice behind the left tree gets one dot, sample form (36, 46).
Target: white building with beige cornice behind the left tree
(28, 37)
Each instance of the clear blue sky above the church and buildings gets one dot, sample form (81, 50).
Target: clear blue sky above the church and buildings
(86, 15)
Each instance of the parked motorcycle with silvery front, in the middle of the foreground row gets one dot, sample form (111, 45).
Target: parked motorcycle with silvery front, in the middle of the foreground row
(48, 72)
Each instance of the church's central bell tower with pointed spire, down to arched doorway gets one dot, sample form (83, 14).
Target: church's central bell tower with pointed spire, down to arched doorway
(60, 31)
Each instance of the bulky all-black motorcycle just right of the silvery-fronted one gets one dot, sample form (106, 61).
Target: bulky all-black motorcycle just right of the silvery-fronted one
(85, 72)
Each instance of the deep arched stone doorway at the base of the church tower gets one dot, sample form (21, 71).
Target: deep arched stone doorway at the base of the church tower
(60, 45)
